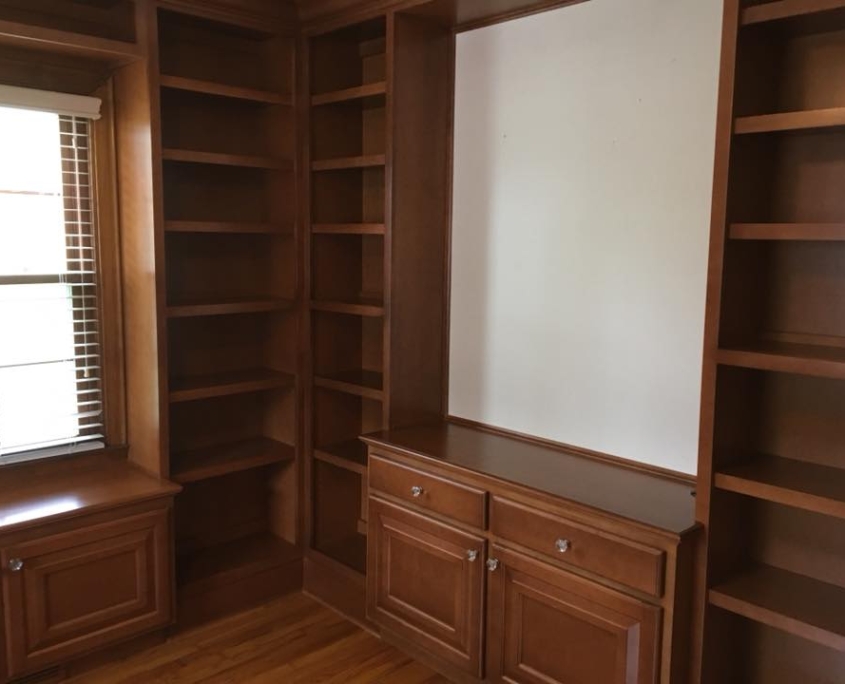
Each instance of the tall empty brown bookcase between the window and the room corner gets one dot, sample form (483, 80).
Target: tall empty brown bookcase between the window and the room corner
(228, 150)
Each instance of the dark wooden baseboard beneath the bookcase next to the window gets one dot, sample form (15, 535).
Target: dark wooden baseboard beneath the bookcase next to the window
(242, 594)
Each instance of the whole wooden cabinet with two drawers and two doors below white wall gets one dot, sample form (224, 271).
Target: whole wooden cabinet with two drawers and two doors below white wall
(617, 586)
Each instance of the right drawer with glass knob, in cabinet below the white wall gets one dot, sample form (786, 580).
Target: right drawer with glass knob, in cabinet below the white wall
(620, 560)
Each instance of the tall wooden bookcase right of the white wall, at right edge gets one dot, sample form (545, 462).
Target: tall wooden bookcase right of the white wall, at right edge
(772, 459)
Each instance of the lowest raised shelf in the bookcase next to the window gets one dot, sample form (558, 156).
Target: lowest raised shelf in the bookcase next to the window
(223, 459)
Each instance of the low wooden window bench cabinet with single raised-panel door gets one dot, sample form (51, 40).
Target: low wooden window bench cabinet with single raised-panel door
(86, 557)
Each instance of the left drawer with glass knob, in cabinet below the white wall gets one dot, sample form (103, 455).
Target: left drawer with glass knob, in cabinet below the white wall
(456, 501)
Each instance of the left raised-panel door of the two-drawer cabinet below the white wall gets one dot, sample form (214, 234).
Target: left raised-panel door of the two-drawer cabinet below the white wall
(426, 584)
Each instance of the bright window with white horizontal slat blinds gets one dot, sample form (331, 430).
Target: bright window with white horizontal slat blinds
(50, 371)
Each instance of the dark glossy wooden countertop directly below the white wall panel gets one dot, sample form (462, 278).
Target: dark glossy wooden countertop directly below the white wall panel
(616, 488)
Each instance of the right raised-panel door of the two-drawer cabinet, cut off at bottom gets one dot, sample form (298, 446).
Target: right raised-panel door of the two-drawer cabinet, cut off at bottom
(547, 626)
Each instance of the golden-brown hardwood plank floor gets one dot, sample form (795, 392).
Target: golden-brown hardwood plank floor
(293, 640)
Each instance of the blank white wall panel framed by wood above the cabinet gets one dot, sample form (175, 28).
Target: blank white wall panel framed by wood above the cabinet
(584, 142)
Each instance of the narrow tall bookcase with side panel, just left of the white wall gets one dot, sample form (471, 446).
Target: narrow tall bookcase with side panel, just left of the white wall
(376, 339)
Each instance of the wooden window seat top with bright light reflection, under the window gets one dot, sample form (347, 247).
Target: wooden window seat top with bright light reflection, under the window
(47, 491)
